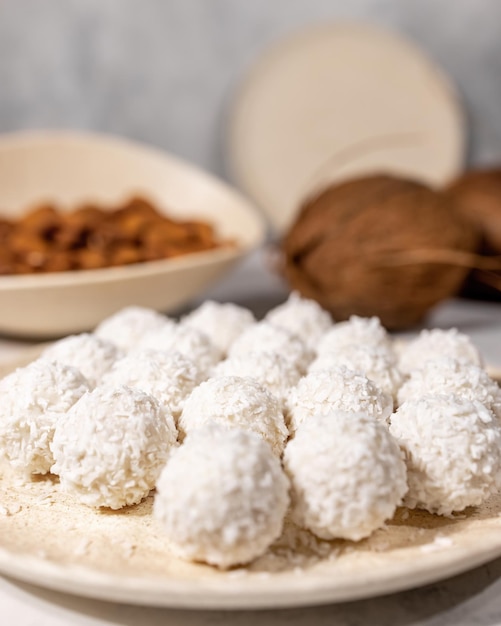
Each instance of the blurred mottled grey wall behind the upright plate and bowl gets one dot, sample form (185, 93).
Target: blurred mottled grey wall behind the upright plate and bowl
(163, 71)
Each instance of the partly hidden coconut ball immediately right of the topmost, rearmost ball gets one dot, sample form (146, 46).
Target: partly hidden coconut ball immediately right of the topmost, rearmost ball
(361, 331)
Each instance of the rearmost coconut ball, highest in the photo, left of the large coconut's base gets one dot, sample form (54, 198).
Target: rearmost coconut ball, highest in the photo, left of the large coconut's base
(302, 317)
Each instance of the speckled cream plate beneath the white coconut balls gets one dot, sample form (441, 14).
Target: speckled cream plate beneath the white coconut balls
(51, 541)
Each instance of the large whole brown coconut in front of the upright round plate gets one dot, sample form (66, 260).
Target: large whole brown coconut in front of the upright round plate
(381, 246)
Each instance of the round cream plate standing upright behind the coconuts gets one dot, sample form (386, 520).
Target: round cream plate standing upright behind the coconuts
(336, 101)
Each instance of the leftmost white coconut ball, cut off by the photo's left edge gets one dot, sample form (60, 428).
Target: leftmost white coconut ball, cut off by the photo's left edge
(34, 399)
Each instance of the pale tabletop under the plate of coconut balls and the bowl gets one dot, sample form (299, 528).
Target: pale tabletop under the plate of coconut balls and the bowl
(471, 599)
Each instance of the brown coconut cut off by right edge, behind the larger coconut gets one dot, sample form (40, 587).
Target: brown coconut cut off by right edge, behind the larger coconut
(477, 195)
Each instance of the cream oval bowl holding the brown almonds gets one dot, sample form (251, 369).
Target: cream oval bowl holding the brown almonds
(71, 168)
